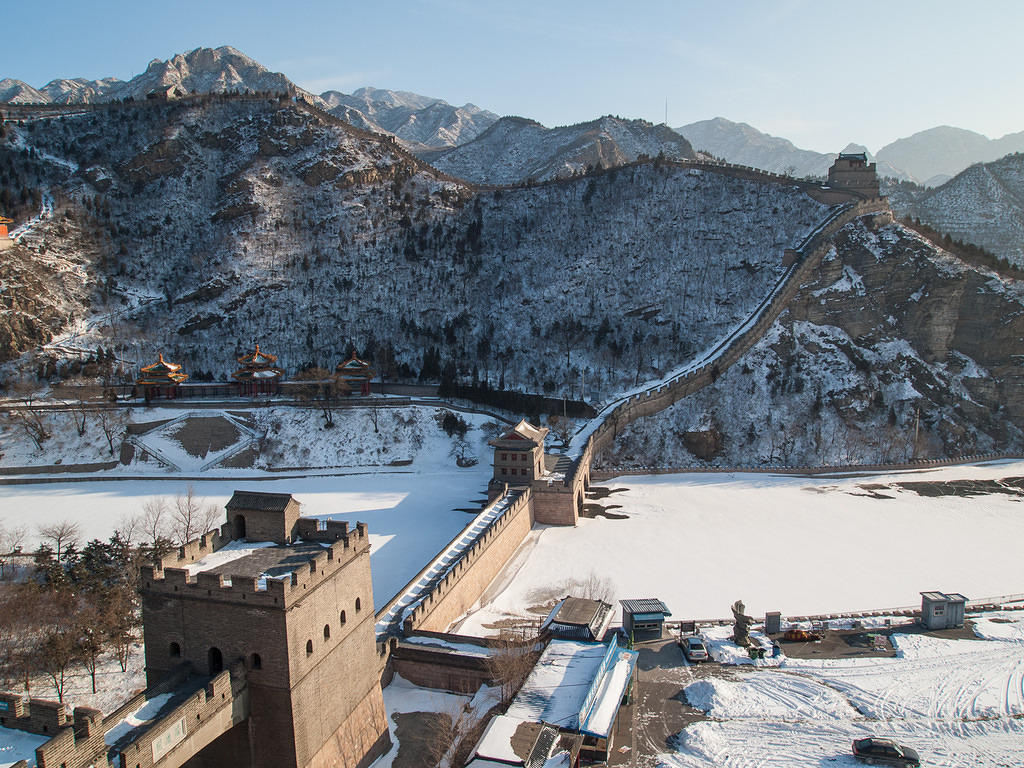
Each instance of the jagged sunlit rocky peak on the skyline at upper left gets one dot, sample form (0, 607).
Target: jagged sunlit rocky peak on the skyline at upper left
(203, 71)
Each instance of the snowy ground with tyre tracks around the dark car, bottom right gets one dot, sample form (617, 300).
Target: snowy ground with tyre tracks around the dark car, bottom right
(958, 703)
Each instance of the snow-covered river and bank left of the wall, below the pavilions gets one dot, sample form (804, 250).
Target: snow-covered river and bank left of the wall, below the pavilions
(412, 510)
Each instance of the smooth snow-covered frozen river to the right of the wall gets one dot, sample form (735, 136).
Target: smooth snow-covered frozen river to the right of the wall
(799, 545)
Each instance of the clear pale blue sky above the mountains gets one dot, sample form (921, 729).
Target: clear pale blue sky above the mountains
(820, 73)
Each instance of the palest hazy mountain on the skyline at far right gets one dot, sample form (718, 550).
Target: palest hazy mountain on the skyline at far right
(947, 151)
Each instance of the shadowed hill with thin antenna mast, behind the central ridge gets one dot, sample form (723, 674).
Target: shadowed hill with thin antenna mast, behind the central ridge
(516, 150)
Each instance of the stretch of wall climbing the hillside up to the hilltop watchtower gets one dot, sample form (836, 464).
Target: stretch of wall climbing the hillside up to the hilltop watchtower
(806, 260)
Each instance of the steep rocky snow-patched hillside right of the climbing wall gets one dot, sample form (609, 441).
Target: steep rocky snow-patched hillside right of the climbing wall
(895, 351)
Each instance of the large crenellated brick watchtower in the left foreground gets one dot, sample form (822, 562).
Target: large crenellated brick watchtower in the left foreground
(290, 601)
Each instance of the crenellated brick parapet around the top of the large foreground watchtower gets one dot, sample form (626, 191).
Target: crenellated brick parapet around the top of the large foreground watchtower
(342, 545)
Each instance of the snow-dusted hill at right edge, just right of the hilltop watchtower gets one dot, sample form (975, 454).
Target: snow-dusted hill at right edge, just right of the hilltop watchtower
(984, 205)
